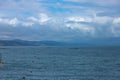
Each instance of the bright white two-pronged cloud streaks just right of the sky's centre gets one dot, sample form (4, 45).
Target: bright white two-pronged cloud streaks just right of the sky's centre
(79, 24)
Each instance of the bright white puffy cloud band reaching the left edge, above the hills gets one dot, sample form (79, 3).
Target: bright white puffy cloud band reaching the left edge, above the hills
(41, 19)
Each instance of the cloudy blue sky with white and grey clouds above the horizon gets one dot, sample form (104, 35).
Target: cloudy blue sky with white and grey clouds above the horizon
(59, 20)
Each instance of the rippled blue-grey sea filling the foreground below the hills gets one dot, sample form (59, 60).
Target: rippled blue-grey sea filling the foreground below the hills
(60, 63)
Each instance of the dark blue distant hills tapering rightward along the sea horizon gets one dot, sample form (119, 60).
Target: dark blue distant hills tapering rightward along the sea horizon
(29, 43)
